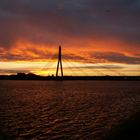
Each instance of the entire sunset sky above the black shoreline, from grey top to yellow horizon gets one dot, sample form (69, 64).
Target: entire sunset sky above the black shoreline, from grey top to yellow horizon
(98, 37)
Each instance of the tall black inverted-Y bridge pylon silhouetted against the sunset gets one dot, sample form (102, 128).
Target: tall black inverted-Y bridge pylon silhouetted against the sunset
(59, 64)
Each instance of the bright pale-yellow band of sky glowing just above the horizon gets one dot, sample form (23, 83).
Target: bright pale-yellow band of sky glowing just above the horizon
(70, 68)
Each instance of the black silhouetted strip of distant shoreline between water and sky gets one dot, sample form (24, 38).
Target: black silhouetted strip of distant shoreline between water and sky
(30, 76)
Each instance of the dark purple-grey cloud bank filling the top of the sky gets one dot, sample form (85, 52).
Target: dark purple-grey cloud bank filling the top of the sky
(43, 21)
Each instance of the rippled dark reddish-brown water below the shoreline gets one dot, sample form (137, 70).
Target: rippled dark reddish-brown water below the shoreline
(69, 110)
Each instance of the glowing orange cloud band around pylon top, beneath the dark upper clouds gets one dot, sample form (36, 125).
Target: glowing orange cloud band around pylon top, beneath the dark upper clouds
(77, 50)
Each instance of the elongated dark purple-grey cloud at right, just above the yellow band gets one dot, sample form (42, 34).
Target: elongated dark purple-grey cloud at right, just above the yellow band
(116, 57)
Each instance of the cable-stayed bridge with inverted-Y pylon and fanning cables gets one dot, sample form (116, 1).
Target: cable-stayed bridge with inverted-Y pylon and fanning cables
(84, 69)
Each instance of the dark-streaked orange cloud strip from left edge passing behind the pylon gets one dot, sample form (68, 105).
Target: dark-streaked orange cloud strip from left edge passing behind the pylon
(39, 55)
